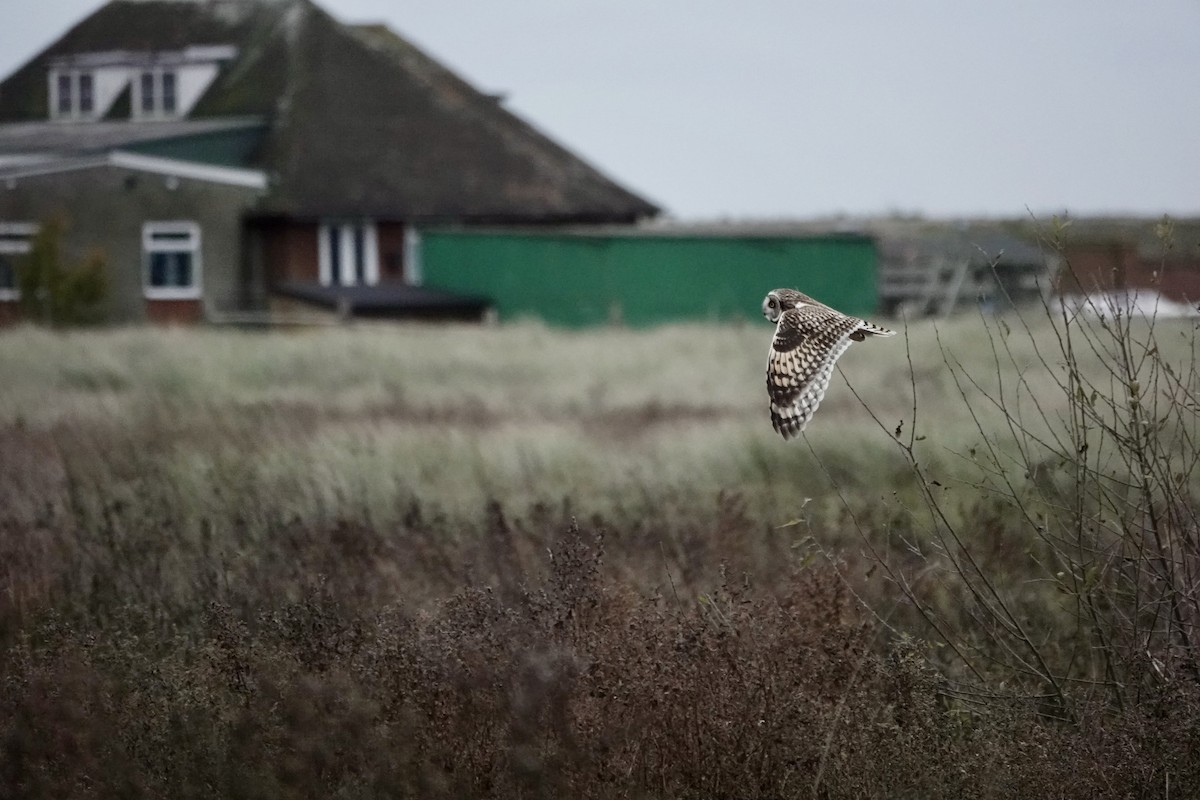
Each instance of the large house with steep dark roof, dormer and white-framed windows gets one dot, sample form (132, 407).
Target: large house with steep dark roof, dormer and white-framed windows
(244, 160)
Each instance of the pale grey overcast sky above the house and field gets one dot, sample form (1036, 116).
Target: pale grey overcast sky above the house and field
(785, 109)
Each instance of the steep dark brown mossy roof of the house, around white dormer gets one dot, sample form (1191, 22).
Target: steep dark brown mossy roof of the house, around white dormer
(362, 122)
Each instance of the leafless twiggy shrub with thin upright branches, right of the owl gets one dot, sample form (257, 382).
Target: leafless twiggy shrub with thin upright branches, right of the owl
(1071, 579)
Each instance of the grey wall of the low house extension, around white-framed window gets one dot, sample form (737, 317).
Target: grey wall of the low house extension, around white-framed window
(105, 208)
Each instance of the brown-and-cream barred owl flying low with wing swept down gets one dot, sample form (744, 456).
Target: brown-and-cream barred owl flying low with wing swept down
(809, 339)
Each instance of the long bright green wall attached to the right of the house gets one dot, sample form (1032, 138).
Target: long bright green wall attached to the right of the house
(646, 279)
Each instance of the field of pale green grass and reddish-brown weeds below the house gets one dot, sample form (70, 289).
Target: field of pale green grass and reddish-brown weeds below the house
(523, 562)
